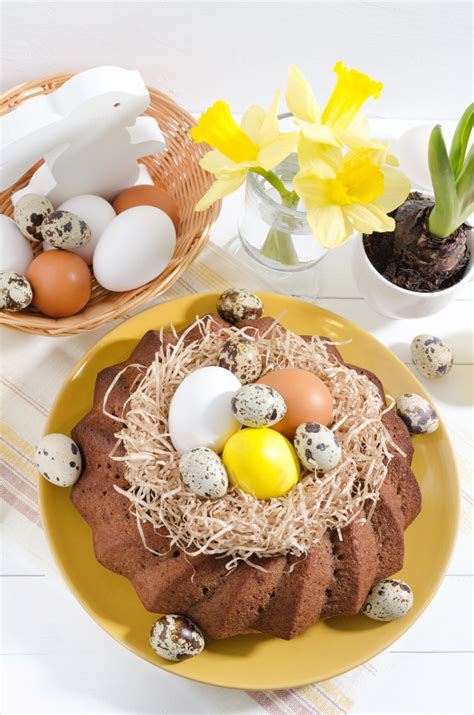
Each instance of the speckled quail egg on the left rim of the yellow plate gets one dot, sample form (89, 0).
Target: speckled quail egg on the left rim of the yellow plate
(58, 459)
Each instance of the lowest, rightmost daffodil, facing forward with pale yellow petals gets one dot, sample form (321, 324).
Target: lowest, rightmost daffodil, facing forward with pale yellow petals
(347, 193)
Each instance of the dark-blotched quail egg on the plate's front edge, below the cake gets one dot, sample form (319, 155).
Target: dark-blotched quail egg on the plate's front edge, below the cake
(176, 638)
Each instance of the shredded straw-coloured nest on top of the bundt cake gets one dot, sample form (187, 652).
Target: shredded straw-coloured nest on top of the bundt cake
(238, 526)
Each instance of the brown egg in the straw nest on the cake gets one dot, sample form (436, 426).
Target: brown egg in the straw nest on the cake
(306, 396)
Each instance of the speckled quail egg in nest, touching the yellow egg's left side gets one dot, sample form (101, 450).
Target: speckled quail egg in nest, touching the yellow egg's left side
(202, 471)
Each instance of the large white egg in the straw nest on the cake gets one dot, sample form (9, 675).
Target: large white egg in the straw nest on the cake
(200, 413)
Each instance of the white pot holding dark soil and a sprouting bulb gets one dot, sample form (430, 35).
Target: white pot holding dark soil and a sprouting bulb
(395, 302)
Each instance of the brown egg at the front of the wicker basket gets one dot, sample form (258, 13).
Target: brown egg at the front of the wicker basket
(61, 283)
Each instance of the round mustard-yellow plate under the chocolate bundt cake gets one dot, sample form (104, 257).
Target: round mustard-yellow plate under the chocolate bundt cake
(255, 661)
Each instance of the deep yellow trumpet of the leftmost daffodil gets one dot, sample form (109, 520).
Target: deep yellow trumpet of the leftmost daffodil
(218, 128)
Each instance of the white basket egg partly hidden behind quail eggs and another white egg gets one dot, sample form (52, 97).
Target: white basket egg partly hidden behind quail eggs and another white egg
(96, 212)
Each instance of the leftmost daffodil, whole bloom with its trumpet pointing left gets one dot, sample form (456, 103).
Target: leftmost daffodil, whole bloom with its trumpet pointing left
(257, 145)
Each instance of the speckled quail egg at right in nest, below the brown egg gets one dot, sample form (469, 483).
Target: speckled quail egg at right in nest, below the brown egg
(317, 447)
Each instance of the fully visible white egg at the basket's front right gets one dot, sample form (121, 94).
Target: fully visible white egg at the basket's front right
(134, 248)
